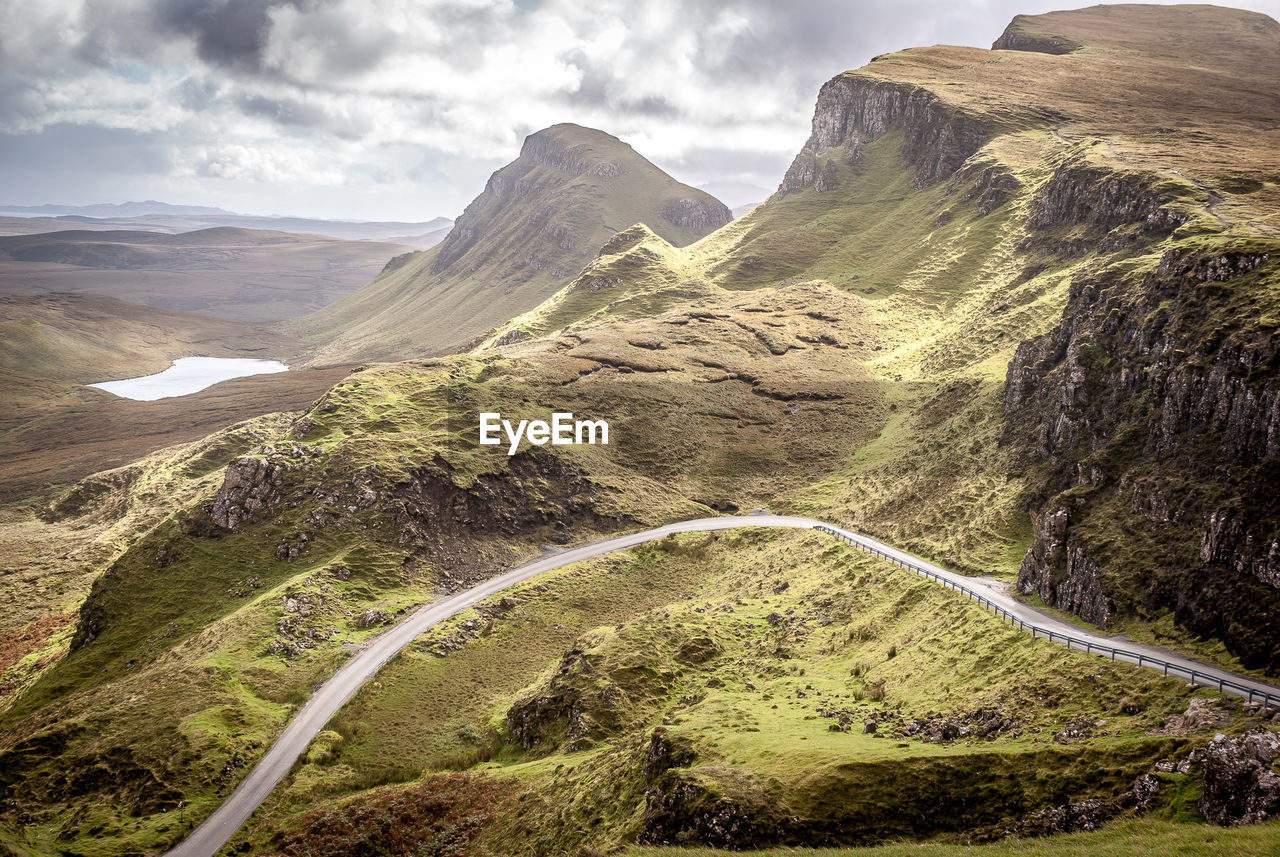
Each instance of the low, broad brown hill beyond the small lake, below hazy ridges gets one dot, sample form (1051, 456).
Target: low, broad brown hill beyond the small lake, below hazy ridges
(226, 272)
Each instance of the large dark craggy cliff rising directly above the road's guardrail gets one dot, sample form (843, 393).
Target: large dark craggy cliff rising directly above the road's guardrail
(1154, 409)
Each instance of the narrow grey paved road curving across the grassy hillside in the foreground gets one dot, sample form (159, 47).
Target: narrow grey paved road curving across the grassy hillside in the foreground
(330, 698)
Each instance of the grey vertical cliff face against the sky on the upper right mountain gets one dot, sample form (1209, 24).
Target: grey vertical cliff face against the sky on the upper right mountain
(854, 109)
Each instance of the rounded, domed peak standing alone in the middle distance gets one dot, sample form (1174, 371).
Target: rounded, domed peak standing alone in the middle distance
(540, 221)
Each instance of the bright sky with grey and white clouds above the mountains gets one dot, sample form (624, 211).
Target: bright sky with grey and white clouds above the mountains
(400, 109)
